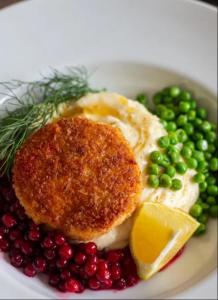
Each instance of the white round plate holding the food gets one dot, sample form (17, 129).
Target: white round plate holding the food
(131, 46)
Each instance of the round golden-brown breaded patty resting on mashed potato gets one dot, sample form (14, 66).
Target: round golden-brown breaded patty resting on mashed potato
(77, 176)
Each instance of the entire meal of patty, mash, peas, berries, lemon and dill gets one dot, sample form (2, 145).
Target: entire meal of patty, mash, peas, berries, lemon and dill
(98, 190)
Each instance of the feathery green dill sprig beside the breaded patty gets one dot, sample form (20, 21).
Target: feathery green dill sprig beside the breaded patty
(34, 107)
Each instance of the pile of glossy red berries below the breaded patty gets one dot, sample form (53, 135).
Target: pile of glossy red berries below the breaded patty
(70, 268)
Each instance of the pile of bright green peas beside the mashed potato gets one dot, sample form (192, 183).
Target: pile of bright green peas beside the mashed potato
(190, 142)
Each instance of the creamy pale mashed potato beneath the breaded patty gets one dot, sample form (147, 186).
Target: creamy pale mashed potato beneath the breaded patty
(142, 130)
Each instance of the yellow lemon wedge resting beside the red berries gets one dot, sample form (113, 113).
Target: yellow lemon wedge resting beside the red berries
(158, 233)
